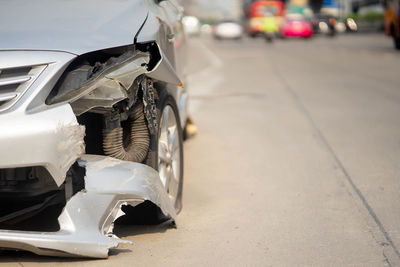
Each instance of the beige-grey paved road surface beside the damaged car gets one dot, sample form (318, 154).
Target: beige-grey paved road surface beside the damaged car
(296, 162)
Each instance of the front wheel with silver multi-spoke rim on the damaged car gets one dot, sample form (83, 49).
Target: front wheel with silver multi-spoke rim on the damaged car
(169, 152)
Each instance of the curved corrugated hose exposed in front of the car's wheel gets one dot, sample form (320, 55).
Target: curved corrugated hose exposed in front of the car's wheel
(113, 143)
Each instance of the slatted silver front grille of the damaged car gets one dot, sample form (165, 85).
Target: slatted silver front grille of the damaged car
(14, 82)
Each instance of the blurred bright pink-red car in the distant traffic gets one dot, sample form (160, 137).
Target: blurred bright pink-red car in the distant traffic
(296, 25)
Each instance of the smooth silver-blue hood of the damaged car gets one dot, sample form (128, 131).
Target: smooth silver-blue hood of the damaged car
(74, 26)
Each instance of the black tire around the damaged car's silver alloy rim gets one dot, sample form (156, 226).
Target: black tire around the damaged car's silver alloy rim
(165, 100)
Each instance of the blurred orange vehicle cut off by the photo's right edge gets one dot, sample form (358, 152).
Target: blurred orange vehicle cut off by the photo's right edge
(392, 22)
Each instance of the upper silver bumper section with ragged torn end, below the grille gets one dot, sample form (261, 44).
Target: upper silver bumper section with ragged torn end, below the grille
(51, 138)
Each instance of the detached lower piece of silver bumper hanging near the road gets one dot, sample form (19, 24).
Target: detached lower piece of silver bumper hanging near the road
(86, 222)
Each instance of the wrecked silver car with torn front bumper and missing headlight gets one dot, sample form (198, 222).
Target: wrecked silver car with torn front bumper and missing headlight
(92, 104)
